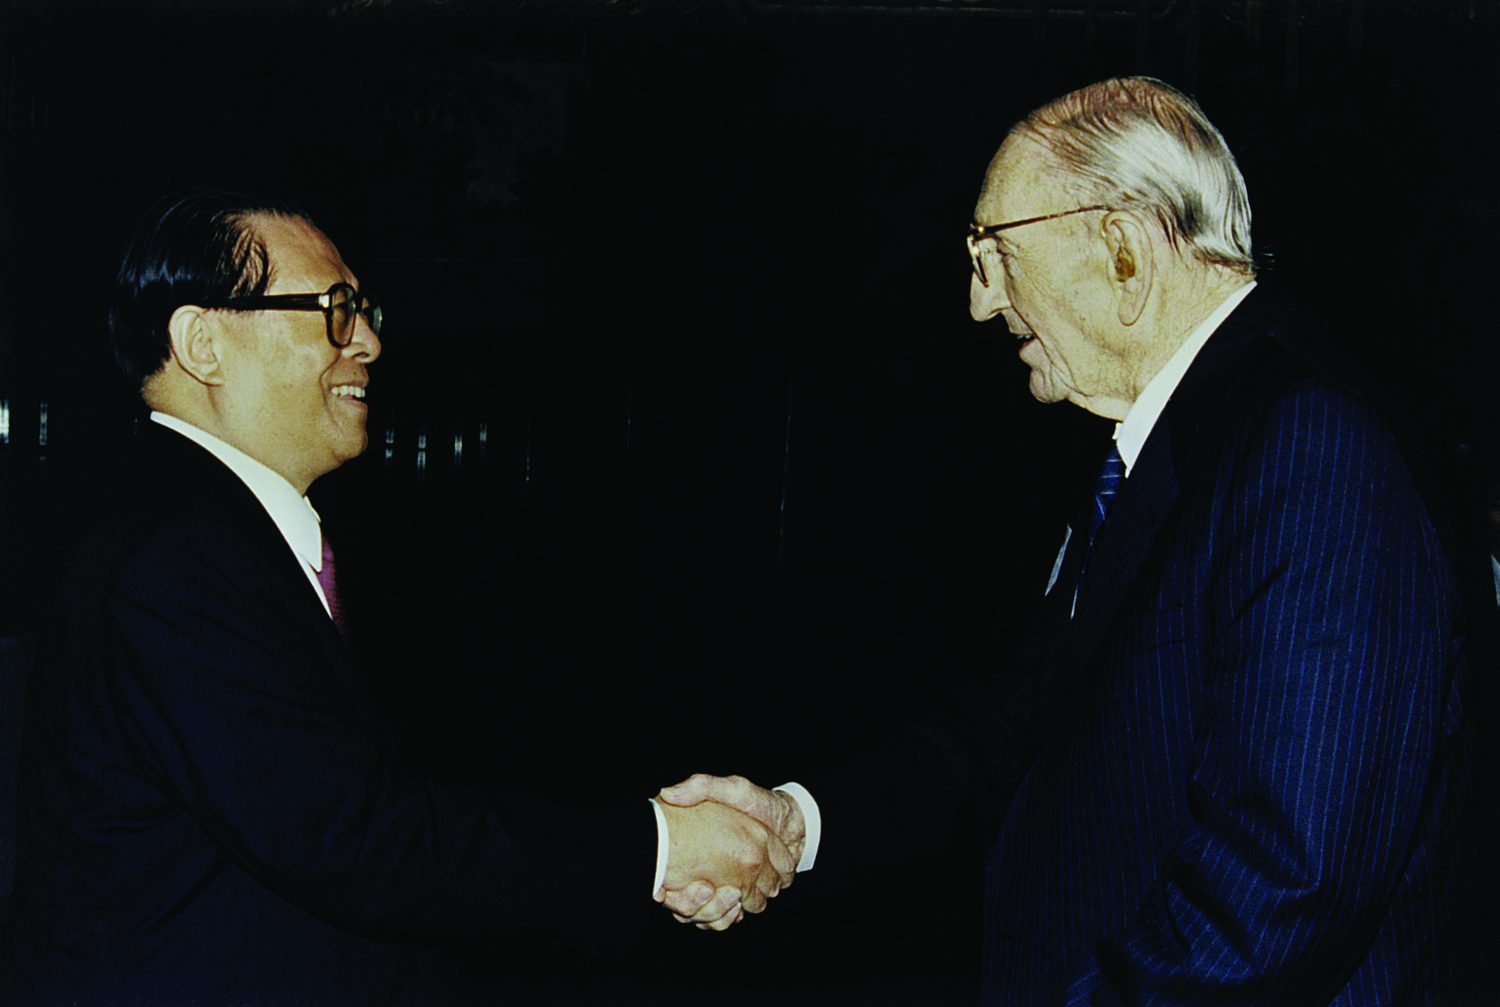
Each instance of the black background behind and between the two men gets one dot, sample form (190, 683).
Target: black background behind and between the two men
(685, 454)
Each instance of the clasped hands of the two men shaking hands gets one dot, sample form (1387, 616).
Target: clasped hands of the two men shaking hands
(733, 846)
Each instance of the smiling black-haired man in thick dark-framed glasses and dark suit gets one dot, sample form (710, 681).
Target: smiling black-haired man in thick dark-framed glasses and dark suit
(211, 811)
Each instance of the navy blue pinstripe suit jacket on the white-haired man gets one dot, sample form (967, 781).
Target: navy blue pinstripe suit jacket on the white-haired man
(1249, 792)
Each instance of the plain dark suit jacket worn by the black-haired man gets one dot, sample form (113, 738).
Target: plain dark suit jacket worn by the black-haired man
(212, 813)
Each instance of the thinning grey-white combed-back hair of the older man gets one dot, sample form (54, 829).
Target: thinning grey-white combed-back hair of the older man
(1138, 143)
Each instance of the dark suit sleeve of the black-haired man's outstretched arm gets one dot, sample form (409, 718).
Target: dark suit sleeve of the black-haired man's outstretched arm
(239, 717)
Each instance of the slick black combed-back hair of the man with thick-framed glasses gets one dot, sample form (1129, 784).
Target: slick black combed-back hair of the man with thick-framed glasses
(188, 250)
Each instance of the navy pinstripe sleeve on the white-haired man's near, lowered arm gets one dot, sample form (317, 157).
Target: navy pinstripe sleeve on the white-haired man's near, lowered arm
(1325, 726)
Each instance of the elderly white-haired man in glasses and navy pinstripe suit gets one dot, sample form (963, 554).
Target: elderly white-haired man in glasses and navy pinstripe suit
(1234, 766)
